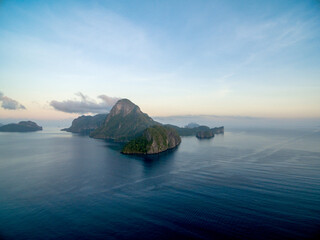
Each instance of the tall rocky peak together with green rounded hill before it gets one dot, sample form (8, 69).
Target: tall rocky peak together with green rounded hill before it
(127, 123)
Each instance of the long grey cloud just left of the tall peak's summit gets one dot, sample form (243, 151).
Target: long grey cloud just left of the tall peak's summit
(85, 104)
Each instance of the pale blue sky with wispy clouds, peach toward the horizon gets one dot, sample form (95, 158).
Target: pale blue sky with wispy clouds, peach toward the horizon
(256, 59)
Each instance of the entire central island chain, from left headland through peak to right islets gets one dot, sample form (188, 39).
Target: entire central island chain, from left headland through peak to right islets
(126, 123)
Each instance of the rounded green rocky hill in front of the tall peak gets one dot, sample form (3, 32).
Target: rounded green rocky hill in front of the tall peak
(155, 139)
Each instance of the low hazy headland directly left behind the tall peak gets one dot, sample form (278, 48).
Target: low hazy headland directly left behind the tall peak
(86, 124)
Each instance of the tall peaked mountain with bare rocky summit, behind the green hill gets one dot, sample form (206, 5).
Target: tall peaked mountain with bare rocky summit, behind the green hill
(124, 122)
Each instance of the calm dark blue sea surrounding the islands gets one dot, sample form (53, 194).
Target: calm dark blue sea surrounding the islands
(245, 184)
